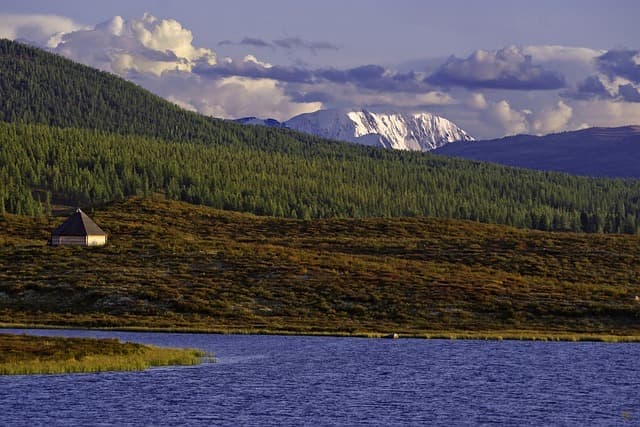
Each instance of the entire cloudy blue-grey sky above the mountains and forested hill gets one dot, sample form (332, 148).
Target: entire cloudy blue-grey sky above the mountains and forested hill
(493, 67)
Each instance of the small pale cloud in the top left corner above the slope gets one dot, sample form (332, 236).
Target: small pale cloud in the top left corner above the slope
(42, 30)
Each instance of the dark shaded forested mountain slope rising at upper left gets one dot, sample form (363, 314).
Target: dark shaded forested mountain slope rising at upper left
(39, 87)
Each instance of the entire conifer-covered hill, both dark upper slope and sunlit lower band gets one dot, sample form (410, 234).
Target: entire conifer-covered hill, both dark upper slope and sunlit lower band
(82, 137)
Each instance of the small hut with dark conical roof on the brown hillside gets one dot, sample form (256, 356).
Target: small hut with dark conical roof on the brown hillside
(80, 230)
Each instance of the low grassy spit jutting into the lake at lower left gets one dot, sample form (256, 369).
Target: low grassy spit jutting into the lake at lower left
(22, 354)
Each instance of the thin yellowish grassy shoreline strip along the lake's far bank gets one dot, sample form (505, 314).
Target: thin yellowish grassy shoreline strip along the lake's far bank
(498, 335)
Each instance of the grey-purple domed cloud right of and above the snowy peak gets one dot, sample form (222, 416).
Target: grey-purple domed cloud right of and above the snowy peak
(508, 68)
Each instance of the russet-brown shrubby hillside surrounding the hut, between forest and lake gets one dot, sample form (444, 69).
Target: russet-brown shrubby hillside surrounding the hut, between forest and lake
(174, 265)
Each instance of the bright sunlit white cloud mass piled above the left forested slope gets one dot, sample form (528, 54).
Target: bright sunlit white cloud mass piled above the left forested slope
(159, 54)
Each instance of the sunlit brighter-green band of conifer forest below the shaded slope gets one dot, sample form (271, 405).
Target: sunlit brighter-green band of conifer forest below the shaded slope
(82, 168)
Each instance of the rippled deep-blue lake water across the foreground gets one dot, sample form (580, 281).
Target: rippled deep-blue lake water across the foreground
(275, 380)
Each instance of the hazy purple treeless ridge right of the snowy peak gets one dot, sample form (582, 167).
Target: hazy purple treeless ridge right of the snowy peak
(610, 152)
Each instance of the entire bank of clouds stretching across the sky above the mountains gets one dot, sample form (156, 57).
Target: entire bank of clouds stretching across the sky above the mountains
(490, 93)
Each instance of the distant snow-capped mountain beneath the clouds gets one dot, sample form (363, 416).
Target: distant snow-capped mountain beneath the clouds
(400, 131)
